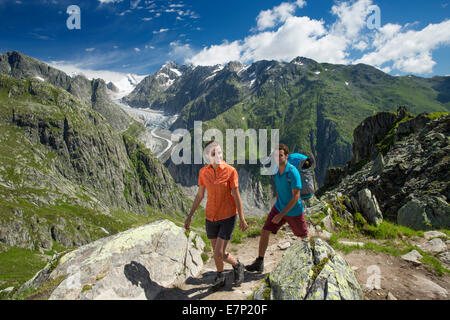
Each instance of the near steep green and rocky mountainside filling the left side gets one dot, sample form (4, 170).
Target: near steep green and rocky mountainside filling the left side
(63, 167)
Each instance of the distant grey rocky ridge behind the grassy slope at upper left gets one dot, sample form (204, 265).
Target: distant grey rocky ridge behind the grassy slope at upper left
(92, 93)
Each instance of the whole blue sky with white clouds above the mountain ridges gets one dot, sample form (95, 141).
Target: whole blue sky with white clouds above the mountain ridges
(139, 36)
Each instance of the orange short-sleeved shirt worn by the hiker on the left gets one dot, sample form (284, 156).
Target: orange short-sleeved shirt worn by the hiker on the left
(220, 202)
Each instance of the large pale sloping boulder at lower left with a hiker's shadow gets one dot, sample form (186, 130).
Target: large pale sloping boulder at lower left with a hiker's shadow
(134, 264)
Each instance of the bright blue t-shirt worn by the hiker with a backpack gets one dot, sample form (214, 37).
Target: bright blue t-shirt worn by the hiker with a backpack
(290, 179)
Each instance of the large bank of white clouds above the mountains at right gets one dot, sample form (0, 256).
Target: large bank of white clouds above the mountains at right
(391, 47)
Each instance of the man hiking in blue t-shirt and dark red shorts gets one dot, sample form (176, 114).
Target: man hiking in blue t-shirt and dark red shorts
(288, 207)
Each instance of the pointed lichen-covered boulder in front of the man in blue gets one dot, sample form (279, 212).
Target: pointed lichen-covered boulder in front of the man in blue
(310, 271)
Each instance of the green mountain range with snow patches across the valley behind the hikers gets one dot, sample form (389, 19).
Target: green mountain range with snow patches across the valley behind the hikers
(316, 106)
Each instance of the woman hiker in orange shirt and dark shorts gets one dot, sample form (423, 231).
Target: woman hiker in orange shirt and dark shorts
(221, 182)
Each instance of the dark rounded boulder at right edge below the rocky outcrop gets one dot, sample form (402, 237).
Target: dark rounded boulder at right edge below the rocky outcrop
(425, 213)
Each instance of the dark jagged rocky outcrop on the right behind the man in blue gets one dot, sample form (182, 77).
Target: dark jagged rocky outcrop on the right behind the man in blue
(412, 163)
